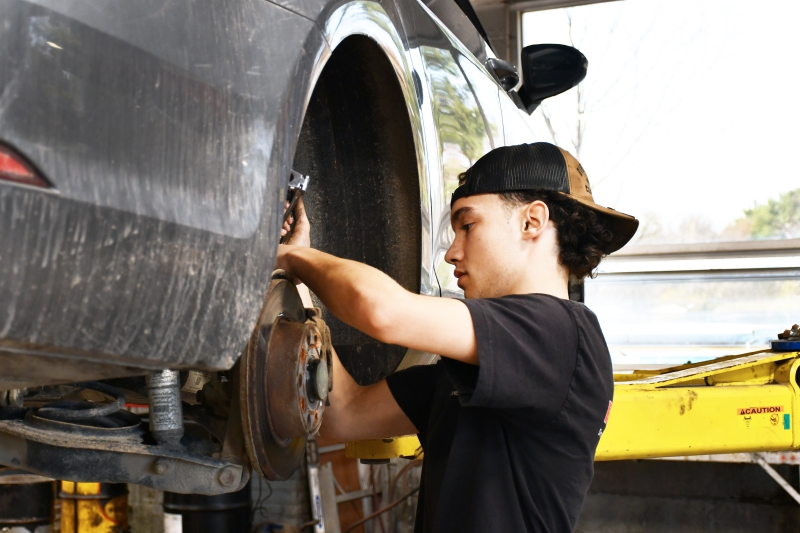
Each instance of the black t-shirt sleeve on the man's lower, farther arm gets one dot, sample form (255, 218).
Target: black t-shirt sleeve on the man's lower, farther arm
(413, 390)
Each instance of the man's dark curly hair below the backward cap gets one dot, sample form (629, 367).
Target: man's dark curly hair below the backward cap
(583, 235)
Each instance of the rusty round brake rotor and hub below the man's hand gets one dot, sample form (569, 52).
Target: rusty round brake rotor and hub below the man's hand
(285, 381)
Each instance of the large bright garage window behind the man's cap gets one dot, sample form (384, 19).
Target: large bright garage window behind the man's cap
(688, 120)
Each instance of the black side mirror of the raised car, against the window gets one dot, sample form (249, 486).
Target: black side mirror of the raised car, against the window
(548, 70)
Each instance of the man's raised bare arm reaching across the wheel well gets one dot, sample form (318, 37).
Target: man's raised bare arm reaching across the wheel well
(371, 301)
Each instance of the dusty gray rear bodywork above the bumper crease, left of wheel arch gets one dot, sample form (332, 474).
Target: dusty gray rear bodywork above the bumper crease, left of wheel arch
(192, 125)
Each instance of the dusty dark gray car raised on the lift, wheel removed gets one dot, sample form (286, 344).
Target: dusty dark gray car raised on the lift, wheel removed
(145, 149)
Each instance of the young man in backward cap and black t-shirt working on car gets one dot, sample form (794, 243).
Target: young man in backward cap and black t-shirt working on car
(510, 417)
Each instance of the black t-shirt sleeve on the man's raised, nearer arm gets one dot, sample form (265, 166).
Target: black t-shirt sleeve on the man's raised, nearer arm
(527, 353)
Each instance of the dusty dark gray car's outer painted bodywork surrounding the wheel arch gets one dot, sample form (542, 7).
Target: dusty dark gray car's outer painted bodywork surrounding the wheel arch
(167, 129)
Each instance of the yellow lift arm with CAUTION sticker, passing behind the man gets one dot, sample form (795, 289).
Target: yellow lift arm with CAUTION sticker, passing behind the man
(741, 403)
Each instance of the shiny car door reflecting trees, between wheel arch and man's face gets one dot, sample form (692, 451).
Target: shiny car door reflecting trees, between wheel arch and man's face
(463, 104)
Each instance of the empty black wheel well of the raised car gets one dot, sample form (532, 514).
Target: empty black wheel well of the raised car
(357, 144)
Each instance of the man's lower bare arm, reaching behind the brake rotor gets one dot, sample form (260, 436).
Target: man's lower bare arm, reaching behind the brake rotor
(358, 413)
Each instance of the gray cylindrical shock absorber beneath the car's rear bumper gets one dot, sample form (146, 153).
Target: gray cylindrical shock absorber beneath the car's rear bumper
(166, 412)
